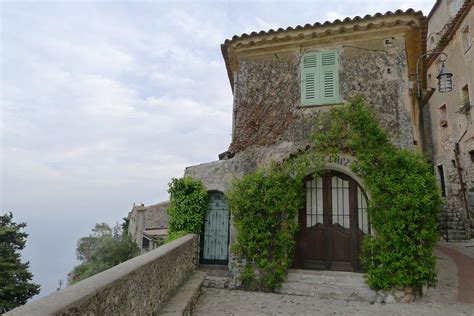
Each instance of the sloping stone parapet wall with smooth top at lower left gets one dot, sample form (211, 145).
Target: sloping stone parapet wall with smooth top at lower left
(139, 286)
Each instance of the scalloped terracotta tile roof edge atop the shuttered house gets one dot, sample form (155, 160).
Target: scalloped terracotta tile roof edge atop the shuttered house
(278, 35)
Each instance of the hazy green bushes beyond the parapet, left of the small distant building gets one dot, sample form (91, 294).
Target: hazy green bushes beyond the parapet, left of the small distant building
(104, 248)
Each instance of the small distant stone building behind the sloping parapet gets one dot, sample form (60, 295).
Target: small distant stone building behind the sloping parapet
(148, 225)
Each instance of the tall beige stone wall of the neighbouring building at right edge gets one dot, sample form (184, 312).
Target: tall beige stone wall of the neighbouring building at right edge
(446, 128)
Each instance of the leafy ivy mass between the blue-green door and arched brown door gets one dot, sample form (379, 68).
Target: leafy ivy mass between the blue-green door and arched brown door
(264, 206)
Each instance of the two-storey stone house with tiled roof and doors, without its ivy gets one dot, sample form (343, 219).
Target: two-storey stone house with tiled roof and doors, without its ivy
(281, 80)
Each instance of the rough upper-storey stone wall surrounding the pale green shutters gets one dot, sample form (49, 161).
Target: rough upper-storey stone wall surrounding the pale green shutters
(267, 93)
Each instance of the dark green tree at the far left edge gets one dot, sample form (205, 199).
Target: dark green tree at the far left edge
(15, 279)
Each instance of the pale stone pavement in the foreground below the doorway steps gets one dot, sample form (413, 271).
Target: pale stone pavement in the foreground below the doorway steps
(441, 300)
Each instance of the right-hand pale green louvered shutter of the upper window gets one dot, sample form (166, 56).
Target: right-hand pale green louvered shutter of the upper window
(329, 77)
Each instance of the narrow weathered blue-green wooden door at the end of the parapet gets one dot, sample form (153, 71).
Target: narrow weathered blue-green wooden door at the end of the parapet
(215, 236)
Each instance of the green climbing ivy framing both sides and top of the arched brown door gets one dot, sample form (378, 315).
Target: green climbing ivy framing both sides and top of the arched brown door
(403, 208)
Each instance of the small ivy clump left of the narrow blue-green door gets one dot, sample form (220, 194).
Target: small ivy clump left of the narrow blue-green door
(188, 205)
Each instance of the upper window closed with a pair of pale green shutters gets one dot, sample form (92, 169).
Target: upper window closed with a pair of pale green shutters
(319, 78)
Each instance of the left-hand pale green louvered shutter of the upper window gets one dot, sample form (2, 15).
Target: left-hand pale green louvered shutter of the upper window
(310, 82)
